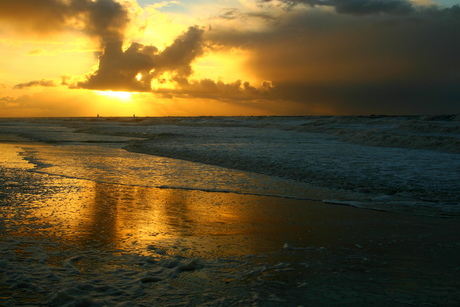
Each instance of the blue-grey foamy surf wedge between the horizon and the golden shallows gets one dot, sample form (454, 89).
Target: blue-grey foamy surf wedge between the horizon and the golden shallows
(416, 170)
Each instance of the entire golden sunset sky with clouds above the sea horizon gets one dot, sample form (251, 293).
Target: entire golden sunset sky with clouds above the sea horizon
(229, 57)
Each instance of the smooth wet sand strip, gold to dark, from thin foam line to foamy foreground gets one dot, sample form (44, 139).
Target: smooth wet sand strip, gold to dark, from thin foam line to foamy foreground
(325, 247)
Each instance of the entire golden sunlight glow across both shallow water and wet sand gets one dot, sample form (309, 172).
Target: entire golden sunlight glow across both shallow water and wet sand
(92, 206)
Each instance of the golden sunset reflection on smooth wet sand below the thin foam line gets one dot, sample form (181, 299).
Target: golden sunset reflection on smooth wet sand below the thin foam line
(91, 213)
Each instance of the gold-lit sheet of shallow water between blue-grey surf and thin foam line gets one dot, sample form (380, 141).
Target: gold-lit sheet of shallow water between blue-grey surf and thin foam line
(113, 165)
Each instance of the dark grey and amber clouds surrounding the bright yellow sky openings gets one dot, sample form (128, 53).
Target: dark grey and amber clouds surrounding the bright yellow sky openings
(329, 56)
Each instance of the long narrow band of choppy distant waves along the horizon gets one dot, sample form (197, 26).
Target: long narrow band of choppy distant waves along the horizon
(440, 132)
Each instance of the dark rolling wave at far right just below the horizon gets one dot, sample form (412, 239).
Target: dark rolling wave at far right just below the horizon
(401, 132)
